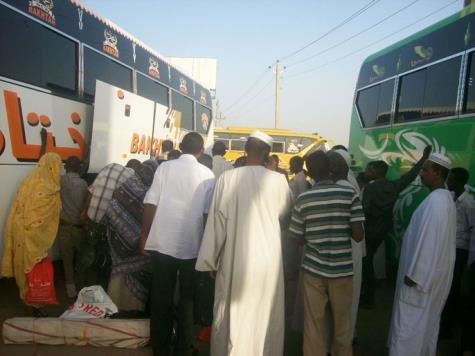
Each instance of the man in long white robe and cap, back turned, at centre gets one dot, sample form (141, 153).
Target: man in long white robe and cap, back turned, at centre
(242, 242)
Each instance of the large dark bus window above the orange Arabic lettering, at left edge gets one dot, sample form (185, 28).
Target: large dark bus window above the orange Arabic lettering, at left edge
(34, 54)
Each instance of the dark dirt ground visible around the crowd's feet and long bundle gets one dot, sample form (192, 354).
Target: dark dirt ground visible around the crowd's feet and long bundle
(372, 329)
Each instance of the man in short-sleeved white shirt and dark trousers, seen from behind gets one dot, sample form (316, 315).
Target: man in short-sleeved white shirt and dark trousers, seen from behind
(172, 229)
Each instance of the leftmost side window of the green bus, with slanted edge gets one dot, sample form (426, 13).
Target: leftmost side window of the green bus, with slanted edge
(374, 104)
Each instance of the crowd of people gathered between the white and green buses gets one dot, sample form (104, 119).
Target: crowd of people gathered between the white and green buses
(188, 238)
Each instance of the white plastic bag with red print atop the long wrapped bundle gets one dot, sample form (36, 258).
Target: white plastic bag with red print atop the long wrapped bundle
(92, 302)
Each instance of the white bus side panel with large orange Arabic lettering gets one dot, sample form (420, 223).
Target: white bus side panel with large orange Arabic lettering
(24, 112)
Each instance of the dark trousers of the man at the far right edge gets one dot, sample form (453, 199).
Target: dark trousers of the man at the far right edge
(454, 298)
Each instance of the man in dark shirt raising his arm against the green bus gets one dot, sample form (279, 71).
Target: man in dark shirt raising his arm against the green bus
(378, 201)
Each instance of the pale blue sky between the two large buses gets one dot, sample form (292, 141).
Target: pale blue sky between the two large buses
(248, 36)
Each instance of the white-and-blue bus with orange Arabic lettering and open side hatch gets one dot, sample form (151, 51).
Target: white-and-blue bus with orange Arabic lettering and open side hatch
(83, 79)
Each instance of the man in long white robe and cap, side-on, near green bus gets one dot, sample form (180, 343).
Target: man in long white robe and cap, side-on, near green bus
(425, 266)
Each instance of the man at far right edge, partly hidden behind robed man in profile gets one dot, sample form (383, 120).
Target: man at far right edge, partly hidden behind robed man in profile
(465, 206)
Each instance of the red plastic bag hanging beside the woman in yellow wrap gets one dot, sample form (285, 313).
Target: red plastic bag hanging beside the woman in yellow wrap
(41, 284)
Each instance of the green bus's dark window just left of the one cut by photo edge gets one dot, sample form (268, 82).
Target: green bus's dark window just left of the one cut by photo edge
(440, 94)
